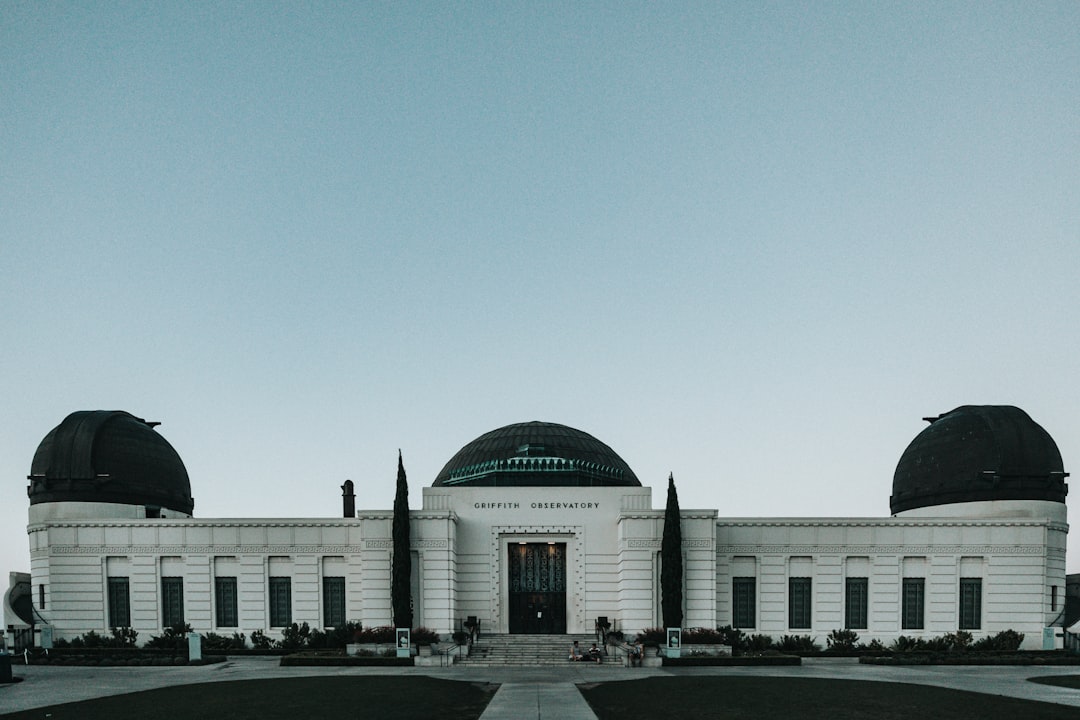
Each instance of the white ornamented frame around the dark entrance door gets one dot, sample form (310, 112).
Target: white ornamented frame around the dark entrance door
(504, 537)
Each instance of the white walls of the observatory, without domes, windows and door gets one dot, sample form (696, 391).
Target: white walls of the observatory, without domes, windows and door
(462, 538)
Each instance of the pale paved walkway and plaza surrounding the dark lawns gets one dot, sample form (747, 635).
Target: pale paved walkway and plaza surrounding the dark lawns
(526, 692)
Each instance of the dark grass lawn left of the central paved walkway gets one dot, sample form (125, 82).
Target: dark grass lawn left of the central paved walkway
(292, 699)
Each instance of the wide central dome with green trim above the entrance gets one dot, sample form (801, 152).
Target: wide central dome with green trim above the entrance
(536, 454)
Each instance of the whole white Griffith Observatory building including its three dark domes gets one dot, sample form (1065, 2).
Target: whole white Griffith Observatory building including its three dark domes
(542, 528)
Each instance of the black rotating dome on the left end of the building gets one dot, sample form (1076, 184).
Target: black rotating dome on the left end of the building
(112, 457)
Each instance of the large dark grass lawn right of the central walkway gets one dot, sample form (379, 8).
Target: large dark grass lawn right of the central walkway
(808, 699)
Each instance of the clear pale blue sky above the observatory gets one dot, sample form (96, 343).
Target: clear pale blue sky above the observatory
(749, 243)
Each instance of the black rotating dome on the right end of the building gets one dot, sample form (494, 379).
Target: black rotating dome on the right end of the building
(979, 453)
